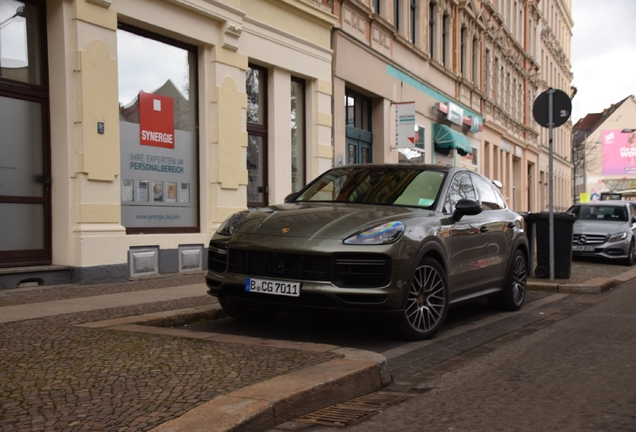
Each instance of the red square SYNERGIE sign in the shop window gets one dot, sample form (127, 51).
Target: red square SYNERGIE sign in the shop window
(156, 120)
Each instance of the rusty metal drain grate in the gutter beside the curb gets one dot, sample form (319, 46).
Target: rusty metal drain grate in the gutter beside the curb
(346, 413)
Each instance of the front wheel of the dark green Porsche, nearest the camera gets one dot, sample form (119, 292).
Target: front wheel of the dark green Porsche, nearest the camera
(427, 302)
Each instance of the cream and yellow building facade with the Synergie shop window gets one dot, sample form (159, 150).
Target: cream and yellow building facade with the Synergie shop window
(132, 129)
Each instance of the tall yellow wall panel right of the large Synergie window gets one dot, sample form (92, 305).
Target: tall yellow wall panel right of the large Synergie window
(231, 135)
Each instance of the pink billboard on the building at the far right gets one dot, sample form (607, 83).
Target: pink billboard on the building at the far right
(619, 152)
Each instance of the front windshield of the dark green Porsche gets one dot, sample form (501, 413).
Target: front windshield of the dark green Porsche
(374, 185)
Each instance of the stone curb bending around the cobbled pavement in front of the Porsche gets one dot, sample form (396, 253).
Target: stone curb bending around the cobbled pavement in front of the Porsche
(269, 403)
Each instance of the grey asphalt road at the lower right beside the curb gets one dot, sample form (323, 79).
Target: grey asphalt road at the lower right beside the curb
(571, 366)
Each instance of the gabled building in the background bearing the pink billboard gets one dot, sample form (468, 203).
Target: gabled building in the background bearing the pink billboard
(604, 153)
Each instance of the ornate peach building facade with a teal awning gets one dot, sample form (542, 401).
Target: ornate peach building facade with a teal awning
(472, 69)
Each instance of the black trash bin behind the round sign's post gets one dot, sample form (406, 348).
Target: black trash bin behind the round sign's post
(563, 227)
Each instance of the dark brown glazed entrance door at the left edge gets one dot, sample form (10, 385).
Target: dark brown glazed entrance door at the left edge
(25, 177)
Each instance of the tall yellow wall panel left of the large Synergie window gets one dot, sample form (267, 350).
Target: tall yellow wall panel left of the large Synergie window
(100, 158)
